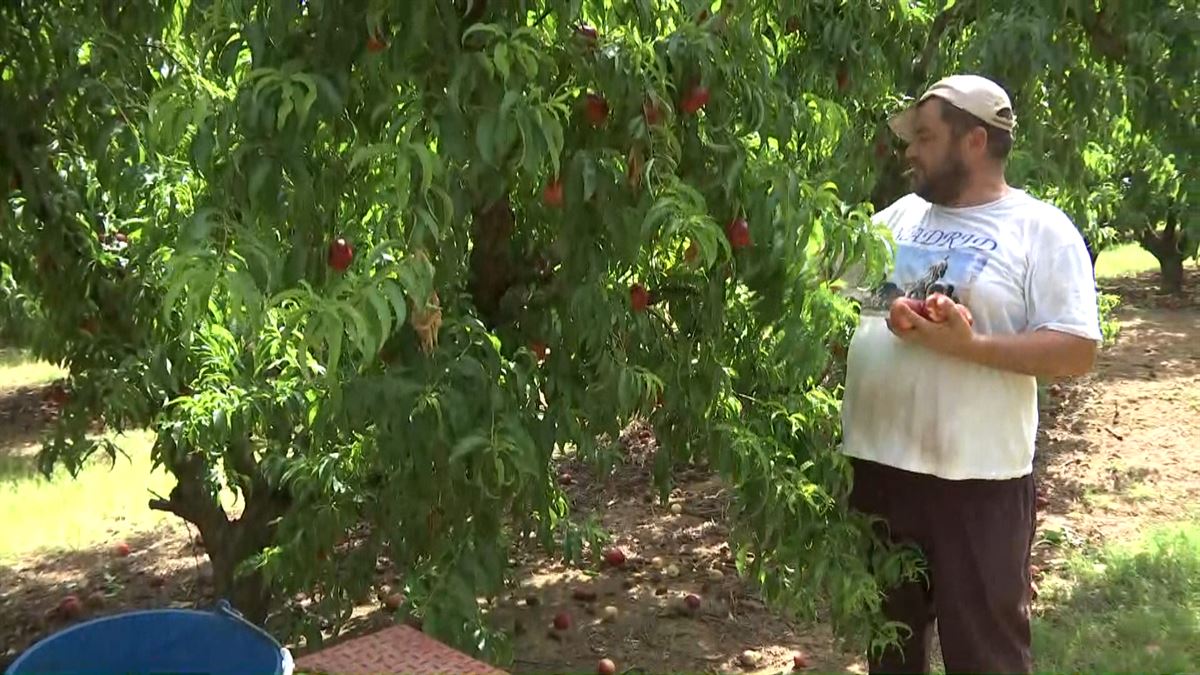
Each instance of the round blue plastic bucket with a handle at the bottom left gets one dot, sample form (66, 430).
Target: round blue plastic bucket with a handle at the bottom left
(161, 641)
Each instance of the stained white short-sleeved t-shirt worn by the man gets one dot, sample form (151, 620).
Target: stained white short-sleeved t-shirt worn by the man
(1019, 265)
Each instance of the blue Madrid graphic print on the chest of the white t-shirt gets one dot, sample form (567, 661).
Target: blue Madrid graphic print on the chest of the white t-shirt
(934, 261)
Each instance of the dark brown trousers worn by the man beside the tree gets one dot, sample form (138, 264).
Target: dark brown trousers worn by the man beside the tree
(976, 537)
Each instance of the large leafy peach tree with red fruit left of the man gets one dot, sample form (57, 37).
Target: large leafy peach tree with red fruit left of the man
(367, 270)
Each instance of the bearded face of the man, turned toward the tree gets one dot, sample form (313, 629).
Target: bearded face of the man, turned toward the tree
(939, 171)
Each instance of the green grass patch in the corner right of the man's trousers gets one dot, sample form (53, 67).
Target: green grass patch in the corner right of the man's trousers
(1129, 608)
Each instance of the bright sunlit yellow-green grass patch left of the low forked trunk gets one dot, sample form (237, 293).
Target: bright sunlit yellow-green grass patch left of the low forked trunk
(63, 513)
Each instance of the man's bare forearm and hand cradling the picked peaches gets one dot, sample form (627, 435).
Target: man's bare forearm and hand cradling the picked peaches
(1041, 354)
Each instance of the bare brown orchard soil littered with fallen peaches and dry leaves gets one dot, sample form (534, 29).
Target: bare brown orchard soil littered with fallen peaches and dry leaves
(1117, 453)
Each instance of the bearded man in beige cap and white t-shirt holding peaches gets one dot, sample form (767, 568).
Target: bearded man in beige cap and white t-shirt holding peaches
(940, 417)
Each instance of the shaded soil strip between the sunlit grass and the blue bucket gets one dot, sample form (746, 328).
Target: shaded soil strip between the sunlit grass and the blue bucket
(164, 570)
